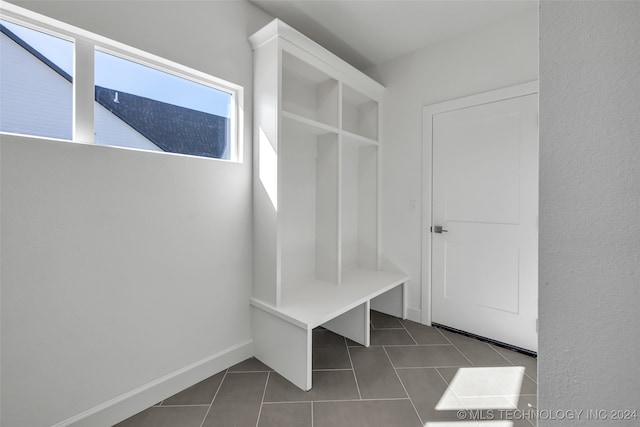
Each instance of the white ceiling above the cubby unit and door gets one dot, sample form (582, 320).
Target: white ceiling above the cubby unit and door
(370, 32)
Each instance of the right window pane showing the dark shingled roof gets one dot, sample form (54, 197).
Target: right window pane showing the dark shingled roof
(142, 107)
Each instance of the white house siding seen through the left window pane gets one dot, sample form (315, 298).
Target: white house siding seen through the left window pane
(33, 98)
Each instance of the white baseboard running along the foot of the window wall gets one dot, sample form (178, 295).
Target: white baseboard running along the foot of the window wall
(122, 407)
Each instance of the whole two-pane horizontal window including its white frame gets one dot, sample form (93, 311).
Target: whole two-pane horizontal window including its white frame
(138, 100)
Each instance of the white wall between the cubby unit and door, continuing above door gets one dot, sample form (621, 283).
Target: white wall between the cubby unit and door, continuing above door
(501, 55)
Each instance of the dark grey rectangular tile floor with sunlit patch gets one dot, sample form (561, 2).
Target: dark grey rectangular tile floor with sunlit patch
(412, 375)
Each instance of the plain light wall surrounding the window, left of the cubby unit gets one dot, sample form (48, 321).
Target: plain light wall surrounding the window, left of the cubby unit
(119, 267)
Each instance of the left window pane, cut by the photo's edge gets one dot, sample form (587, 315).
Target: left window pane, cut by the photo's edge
(36, 74)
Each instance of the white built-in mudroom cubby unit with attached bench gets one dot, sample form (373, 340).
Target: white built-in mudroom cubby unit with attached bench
(316, 221)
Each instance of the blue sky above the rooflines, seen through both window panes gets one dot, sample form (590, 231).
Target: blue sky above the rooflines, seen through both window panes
(123, 75)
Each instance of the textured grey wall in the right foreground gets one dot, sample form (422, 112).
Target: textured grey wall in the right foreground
(590, 208)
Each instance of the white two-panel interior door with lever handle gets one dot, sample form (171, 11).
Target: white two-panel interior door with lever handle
(484, 263)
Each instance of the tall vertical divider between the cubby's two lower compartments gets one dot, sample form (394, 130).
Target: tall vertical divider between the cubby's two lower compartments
(327, 213)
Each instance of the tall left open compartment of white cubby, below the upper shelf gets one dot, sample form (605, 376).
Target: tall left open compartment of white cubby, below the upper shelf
(308, 204)
